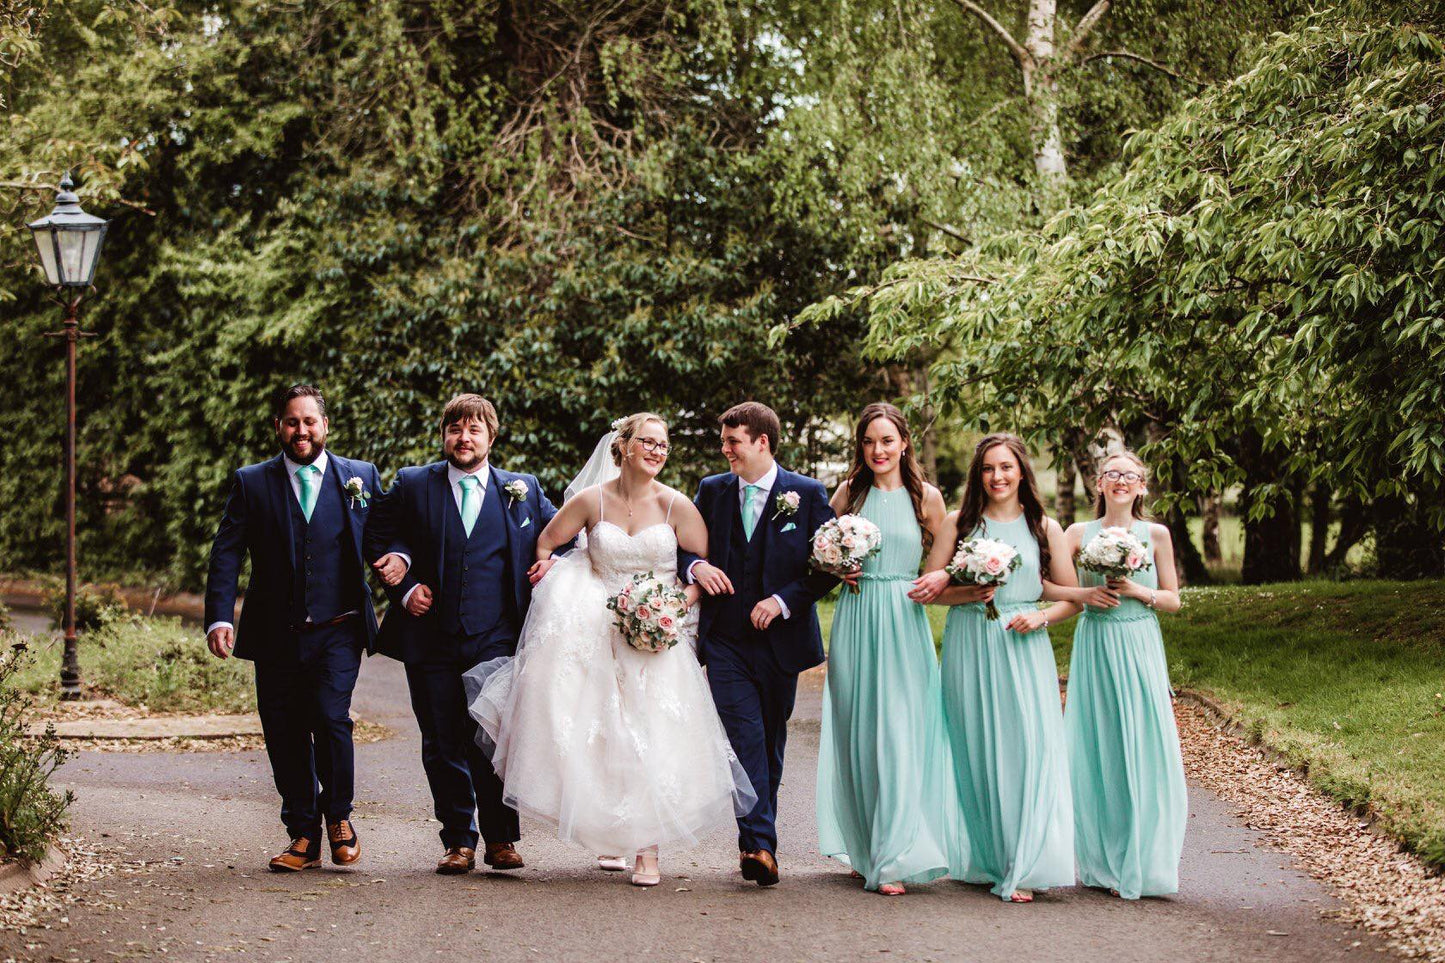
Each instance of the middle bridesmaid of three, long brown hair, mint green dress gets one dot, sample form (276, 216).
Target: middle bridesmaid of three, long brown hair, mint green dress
(1001, 685)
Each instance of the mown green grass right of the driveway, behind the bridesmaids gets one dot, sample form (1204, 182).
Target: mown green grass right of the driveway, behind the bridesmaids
(1346, 680)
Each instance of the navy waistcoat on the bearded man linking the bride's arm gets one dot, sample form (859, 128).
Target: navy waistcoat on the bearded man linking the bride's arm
(476, 589)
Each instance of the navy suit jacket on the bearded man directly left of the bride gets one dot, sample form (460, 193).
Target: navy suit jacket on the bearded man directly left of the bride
(411, 518)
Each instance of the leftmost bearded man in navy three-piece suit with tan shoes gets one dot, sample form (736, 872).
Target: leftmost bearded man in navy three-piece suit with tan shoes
(307, 618)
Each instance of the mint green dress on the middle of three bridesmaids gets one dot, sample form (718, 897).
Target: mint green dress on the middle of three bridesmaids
(1006, 728)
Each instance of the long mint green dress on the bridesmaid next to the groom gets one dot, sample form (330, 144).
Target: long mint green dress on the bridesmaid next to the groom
(884, 789)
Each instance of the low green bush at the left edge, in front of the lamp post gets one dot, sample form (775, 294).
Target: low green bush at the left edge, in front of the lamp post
(31, 813)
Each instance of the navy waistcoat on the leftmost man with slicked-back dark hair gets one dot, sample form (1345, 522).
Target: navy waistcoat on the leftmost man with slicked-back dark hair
(327, 578)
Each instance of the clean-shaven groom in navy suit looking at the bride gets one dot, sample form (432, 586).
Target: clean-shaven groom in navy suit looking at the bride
(759, 628)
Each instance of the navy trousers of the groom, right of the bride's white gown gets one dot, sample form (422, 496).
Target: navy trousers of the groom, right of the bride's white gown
(755, 699)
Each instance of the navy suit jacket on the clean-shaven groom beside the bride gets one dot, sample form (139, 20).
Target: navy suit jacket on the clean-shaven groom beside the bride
(798, 640)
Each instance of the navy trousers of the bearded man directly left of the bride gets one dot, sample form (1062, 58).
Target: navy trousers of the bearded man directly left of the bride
(466, 792)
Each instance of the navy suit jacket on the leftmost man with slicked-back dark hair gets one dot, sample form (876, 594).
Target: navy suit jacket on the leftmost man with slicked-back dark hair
(258, 521)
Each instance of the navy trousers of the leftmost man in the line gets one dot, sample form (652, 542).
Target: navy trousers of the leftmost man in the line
(304, 699)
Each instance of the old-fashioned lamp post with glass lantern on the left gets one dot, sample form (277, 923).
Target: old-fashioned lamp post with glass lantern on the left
(70, 244)
